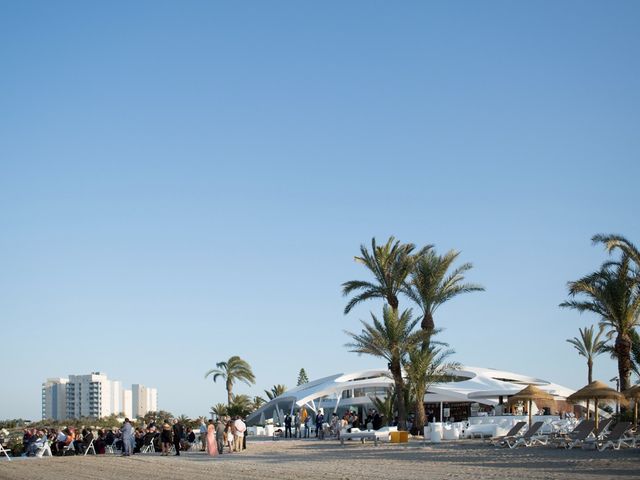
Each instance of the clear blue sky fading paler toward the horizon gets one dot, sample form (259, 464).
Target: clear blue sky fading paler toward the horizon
(181, 182)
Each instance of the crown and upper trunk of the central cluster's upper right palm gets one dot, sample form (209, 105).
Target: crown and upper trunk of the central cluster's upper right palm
(431, 284)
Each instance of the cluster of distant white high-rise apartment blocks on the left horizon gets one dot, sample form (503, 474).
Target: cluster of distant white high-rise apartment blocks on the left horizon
(92, 395)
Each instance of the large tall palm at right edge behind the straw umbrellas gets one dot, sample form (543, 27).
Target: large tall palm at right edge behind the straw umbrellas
(611, 293)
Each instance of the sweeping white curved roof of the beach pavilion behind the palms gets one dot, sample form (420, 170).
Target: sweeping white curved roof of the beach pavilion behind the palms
(473, 384)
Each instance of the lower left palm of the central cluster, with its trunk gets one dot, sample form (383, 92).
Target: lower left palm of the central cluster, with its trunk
(390, 339)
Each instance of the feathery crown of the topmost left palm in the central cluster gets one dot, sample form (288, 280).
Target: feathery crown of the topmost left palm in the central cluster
(390, 264)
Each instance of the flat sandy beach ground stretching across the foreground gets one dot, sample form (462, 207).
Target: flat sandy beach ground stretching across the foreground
(294, 459)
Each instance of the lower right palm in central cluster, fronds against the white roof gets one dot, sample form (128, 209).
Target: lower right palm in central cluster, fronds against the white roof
(425, 367)
